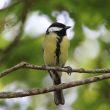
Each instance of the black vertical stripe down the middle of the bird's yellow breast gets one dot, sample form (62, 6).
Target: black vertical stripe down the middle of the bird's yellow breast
(58, 51)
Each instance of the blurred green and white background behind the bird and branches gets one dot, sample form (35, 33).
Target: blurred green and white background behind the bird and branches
(22, 28)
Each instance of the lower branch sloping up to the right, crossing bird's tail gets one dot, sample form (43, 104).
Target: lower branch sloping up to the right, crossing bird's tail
(36, 91)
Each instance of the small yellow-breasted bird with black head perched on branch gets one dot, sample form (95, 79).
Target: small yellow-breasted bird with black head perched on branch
(55, 46)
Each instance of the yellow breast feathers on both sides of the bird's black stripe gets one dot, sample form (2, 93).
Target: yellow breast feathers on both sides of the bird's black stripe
(50, 46)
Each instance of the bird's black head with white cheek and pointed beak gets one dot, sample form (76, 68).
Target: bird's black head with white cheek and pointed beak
(58, 28)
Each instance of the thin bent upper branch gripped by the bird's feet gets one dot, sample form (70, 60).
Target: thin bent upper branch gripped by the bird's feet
(64, 69)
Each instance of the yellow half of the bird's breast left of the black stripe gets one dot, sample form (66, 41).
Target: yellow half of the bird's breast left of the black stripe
(49, 47)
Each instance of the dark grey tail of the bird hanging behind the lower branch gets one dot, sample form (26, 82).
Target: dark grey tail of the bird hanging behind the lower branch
(58, 95)
